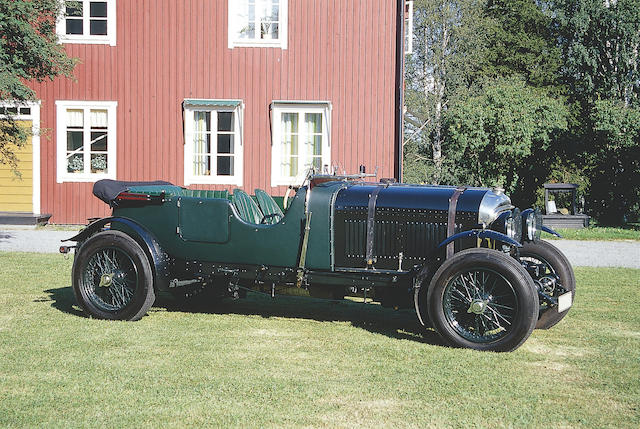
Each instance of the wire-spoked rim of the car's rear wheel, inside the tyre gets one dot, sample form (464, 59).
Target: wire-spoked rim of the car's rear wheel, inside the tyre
(110, 279)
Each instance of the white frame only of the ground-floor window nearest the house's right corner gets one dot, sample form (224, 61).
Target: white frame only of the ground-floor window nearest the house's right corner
(300, 107)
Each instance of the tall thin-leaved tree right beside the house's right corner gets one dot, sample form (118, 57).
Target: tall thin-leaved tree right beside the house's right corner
(448, 47)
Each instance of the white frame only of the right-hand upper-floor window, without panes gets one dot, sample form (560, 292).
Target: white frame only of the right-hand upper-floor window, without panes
(234, 23)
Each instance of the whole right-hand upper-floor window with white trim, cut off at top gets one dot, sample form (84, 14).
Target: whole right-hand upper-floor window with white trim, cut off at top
(260, 23)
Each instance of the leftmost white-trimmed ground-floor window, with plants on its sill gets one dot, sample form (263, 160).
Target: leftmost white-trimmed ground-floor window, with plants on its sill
(86, 140)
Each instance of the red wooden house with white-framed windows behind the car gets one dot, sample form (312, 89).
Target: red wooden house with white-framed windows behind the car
(214, 94)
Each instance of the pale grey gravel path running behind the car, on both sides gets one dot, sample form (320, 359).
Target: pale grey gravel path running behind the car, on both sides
(580, 253)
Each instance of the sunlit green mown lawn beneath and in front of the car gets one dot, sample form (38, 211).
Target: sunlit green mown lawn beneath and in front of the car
(300, 362)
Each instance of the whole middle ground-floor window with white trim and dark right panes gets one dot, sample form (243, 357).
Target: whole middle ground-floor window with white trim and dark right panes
(213, 142)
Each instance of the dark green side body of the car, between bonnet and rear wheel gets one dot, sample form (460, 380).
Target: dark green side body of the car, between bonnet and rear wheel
(272, 245)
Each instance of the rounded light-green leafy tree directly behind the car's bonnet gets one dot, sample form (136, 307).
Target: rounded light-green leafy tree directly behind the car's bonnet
(495, 134)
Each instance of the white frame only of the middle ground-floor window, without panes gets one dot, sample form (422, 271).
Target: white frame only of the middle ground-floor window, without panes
(235, 106)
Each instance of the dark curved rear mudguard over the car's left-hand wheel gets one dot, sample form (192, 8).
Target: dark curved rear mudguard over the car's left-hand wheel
(157, 257)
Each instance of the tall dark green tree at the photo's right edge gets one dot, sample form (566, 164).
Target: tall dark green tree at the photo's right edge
(600, 44)
